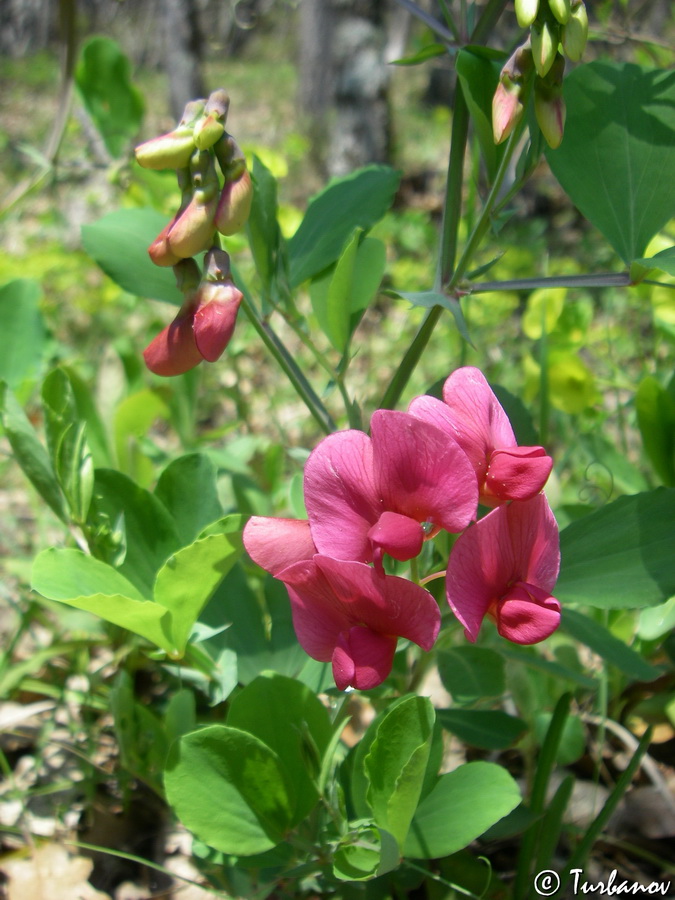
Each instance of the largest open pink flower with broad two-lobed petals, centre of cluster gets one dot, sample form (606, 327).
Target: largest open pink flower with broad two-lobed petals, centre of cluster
(367, 496)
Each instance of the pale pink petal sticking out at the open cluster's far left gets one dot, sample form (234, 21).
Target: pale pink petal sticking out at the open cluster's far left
(275, 544)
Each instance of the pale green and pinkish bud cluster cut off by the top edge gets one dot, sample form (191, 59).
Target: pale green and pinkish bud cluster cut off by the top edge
(538, 61)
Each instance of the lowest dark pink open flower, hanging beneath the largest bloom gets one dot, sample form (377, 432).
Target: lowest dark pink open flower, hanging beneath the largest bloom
(347, 614)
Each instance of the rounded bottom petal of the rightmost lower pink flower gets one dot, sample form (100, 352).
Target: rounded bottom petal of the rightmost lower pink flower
(527, 615)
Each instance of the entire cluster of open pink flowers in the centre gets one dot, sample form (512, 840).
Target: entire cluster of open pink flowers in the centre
(367, 497)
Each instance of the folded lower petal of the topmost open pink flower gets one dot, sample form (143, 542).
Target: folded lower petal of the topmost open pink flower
(517, 473)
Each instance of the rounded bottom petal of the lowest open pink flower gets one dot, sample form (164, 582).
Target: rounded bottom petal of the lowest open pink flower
(362, 658)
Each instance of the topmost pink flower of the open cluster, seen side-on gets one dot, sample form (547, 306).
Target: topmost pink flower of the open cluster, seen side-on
(474, 418)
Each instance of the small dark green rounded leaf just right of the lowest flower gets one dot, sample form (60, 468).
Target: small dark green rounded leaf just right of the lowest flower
(471, 673)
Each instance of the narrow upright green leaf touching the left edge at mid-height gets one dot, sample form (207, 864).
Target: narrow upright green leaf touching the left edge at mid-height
(29, 452)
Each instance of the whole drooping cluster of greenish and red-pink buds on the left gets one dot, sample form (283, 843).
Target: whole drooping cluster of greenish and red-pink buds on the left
(204, 324)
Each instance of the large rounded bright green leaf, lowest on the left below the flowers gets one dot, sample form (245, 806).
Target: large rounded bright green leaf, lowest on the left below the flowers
(228, 788)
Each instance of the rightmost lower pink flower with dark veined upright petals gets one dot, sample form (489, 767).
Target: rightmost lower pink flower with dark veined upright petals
(505, 566)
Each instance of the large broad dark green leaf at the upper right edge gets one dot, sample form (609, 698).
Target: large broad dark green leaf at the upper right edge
(621, 123)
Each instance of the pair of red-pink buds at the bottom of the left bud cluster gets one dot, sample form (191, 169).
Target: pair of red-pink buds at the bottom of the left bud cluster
(204, 324)
